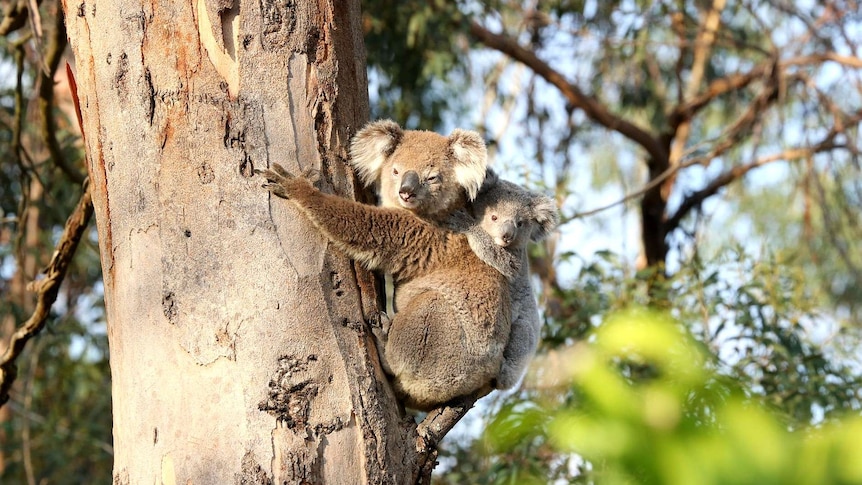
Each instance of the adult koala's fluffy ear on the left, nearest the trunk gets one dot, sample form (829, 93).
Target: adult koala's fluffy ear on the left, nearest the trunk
(370, 147)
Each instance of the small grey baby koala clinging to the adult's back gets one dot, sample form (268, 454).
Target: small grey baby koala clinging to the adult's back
(506, 217)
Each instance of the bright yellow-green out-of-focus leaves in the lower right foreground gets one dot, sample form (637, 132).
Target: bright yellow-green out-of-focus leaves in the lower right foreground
(682, 424)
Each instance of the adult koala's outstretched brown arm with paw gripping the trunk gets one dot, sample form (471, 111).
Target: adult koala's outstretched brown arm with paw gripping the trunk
(391, 240)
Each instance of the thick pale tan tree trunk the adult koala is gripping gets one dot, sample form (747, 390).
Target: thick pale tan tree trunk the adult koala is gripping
(239, 352)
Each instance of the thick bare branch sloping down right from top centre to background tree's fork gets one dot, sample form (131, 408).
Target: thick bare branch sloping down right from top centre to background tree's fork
(573, 94)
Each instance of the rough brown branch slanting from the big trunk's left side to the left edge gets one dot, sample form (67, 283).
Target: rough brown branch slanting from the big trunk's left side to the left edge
(47, 289)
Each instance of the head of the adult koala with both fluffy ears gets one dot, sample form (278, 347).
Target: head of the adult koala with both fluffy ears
(424, 172)
